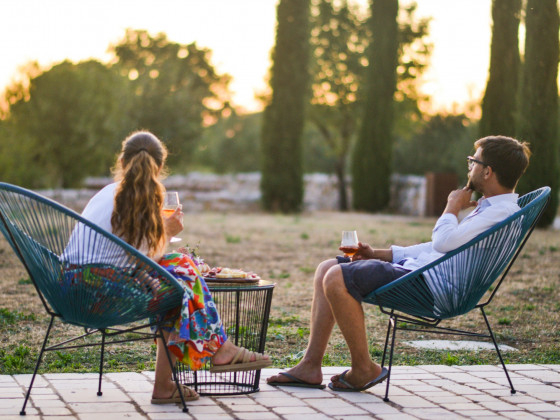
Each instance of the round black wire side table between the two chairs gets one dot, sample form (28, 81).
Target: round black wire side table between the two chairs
(244, 309)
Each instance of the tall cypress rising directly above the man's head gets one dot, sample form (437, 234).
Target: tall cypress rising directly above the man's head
(500, 99)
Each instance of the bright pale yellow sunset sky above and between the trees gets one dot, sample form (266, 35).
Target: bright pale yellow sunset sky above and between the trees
(240, 33)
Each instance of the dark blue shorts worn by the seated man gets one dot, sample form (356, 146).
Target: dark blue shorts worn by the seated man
(364, 276)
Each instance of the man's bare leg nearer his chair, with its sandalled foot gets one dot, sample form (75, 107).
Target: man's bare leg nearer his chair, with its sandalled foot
(349, 316)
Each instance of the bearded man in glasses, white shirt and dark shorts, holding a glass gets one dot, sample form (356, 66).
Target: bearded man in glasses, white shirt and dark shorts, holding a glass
(340, 284)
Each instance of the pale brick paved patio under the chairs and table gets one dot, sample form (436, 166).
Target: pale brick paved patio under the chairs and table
(419, 392)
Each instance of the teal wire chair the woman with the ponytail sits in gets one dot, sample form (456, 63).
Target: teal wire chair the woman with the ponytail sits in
(92, 280)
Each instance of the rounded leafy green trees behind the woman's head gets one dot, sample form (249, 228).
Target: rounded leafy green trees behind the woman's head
(67, 122)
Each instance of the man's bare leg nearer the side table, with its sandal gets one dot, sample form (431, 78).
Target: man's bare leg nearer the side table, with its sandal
(322, 323)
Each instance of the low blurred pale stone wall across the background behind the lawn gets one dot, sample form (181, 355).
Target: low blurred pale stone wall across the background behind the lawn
(240, 192)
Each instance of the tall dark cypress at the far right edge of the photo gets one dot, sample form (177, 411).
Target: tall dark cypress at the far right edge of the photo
(539, 101)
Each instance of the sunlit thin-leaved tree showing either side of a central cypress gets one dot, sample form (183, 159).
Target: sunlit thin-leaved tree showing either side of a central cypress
(339, 37)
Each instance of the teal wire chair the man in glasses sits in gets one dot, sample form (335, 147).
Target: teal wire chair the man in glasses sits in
(459, 281)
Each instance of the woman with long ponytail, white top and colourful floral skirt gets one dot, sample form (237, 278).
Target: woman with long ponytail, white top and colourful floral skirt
(131, 208)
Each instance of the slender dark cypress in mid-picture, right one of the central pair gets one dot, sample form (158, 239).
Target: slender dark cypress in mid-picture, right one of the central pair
(372, 154)
